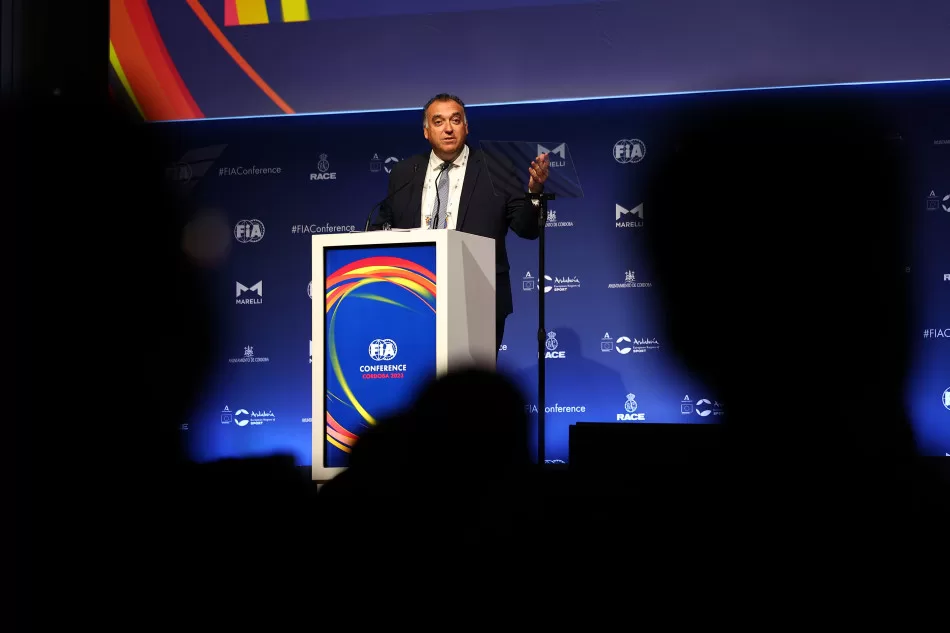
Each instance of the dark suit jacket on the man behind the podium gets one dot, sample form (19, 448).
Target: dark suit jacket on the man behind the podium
(480, 212)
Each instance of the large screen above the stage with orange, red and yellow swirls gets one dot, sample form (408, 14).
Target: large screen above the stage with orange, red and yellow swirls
(184, 59)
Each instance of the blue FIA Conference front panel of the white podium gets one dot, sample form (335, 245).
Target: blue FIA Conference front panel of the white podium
(379, 337)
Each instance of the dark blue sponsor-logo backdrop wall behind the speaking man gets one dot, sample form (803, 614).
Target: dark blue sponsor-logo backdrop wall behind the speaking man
(275, 182)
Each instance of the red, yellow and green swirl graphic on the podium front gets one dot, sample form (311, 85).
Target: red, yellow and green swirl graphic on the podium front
(354, 280)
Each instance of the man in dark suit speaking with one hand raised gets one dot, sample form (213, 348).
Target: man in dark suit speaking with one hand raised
(451, 189)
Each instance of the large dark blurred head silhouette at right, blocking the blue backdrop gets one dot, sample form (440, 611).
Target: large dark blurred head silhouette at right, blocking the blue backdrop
(777, 239)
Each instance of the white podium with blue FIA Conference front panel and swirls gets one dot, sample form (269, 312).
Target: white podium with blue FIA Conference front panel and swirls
(391, 311)
